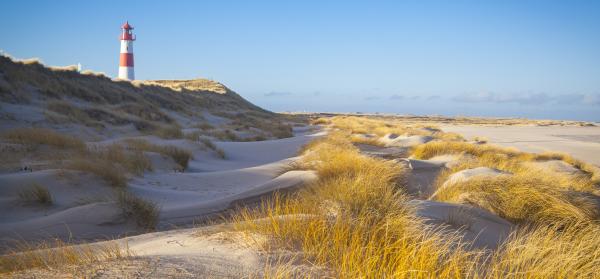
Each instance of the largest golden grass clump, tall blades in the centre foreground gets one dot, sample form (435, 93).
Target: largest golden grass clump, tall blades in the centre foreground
(354, 219)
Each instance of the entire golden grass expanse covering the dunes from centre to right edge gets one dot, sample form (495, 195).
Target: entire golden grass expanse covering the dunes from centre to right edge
(356, 219)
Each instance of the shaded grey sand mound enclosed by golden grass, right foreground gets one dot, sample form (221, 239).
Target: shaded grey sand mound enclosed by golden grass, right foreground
(485, 229)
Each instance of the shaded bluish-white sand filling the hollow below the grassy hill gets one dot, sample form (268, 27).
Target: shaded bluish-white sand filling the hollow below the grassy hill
(83, 206)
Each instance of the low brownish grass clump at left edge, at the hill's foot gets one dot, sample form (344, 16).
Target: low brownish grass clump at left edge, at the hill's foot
(38, 136)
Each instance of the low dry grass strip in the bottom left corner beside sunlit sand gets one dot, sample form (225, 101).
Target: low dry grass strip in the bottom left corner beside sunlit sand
(56, 254)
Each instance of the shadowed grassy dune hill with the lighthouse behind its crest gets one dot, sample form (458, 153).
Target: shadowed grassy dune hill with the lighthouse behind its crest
(93, 106)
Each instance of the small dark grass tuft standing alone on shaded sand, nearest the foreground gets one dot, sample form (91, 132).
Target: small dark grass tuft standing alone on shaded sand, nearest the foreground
(144, 212)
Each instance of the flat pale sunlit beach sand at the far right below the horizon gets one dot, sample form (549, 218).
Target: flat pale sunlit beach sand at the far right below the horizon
(581, 142)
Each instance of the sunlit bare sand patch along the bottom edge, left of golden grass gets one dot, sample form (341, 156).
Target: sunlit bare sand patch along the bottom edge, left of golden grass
(210, 252)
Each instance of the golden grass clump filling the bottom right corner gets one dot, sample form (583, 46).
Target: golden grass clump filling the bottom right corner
(549, 252)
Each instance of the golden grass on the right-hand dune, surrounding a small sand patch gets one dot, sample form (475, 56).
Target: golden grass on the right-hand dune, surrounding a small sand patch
(526, 195)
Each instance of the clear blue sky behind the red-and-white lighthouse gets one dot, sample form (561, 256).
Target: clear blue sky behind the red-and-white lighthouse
(538, 59)
